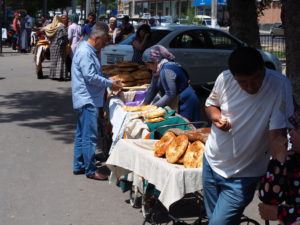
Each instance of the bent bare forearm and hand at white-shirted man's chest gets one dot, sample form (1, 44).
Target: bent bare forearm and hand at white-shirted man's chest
(214, 114)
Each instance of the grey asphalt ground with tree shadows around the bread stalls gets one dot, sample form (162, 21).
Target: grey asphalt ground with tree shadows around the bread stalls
(36, 144)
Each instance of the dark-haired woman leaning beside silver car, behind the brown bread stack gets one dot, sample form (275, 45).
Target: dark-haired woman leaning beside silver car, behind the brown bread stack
(141, 42)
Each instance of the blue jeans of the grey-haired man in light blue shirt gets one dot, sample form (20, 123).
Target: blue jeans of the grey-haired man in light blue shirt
(86, 139)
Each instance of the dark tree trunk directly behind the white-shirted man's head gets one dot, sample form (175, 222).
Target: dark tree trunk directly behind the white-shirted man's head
(243, 21)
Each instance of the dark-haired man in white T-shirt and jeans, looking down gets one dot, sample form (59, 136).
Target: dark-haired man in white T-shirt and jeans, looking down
(248, 106)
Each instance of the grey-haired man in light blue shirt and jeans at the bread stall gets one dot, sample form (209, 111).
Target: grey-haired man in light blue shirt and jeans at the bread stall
(88, 88)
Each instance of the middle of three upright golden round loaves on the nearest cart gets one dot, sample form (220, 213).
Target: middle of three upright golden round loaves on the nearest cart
(177, 148)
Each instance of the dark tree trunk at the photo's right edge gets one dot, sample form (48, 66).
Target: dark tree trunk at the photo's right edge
(291, 24)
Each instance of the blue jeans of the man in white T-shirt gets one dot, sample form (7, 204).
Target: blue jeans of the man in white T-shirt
(226, 198)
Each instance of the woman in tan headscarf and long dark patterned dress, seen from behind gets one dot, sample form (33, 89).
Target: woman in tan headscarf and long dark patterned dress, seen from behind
(57, 34)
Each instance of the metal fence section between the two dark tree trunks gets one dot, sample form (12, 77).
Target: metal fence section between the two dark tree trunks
(273, 44)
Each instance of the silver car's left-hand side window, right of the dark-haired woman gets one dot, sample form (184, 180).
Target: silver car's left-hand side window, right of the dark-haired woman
(189, 39)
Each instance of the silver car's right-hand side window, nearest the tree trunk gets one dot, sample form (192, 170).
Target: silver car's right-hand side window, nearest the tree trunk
(220, 40)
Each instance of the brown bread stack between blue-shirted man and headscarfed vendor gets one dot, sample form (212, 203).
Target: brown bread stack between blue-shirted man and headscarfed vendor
(131, 74)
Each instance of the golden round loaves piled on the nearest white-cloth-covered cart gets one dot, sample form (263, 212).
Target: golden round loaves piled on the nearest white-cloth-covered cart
(183, 149)
